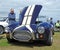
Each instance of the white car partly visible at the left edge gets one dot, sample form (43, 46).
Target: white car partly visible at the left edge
(3, 24)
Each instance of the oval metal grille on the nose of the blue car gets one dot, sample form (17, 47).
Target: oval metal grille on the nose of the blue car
(22, 35)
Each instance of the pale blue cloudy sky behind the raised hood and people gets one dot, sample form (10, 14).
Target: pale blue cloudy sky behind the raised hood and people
(51, 8)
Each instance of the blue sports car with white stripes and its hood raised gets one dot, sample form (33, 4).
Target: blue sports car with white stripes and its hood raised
(29, 29)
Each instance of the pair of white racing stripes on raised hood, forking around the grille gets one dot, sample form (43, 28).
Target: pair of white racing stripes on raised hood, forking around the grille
(28, 18)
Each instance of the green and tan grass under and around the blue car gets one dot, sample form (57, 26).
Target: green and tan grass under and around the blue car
(4, 45)
